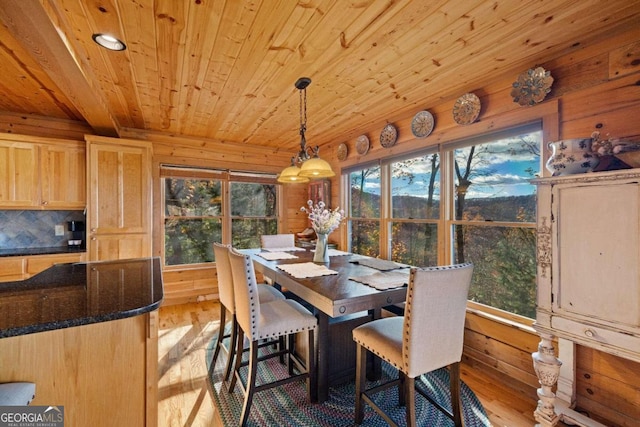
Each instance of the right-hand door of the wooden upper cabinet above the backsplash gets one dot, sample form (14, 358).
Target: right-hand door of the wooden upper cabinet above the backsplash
(63, 176)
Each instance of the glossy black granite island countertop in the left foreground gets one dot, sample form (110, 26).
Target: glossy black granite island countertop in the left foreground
(76, 294)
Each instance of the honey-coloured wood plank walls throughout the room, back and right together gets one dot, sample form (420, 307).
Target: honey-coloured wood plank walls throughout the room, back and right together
(595, 86)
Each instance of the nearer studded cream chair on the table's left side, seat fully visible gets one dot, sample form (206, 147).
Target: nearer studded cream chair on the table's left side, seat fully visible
(258, 321)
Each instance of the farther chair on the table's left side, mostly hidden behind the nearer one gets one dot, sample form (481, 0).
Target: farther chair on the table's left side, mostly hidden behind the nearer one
(227, 304)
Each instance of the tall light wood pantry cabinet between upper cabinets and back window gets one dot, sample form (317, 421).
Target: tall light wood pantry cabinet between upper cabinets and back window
(119, 209)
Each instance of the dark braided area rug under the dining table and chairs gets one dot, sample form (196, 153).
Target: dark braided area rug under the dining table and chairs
(287, 405)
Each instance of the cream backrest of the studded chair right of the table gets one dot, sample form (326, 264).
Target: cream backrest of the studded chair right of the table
(433, 330)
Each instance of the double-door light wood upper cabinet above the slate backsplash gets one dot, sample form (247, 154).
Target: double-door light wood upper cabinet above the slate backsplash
(41, 173)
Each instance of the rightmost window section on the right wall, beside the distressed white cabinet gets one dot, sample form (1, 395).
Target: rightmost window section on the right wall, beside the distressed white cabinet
(494, 222)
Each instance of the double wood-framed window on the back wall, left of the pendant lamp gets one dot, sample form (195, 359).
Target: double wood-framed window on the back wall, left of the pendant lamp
(198, 212)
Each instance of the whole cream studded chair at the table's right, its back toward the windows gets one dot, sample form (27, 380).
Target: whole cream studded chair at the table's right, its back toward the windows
(428, 337)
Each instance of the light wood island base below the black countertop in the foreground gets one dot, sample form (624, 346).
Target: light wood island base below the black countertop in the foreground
(104, 374)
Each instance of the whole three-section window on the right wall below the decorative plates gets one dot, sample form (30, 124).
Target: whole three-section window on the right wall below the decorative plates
(399, 210)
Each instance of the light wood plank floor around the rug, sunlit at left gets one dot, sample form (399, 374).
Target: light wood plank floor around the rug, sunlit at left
(184, 399)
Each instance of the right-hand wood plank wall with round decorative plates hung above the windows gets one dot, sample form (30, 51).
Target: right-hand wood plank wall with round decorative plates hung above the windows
(595, 87)
